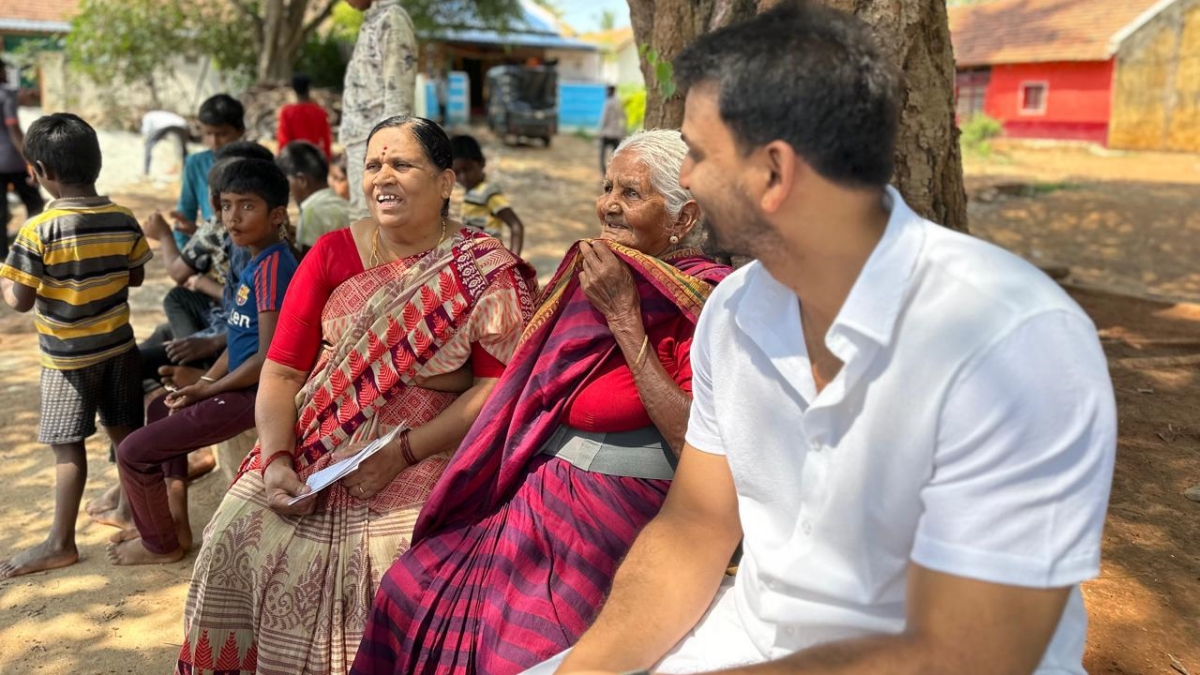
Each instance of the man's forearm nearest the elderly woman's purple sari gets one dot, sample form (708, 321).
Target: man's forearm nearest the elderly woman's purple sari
(665, 586)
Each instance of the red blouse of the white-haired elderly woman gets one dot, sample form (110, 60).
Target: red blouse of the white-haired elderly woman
(609, 402)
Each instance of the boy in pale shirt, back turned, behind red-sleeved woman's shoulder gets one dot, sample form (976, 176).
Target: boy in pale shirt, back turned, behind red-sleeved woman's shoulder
(321, 210)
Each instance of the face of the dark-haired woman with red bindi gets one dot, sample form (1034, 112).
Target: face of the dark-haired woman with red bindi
(401, 184)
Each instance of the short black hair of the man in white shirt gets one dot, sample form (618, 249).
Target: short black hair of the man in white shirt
(809, 76)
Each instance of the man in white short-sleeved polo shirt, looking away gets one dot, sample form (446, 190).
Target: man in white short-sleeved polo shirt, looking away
(911, 431)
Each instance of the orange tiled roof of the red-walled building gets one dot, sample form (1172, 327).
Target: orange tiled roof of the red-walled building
(1022, 32)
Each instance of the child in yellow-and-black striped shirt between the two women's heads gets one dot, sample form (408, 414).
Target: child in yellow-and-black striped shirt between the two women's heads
(484, 206)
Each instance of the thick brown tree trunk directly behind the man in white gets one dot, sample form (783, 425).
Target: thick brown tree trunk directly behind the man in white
(914, 33)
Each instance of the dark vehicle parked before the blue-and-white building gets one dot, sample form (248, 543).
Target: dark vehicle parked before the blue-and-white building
(523, 103)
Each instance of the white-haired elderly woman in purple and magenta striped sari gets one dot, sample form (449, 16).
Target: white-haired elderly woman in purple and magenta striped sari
(573, 453)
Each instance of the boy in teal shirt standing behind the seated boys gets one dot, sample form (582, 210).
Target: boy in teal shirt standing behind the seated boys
(223, 122)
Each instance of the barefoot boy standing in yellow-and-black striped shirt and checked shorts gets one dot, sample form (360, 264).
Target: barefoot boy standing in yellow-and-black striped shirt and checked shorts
(76, 264)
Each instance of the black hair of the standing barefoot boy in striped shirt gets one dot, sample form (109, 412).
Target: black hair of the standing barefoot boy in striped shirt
(67, 146)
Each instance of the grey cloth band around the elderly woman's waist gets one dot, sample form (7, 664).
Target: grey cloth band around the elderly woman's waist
(641, 453)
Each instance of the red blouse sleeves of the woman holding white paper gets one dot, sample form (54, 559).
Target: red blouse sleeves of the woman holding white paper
(333, 260)
